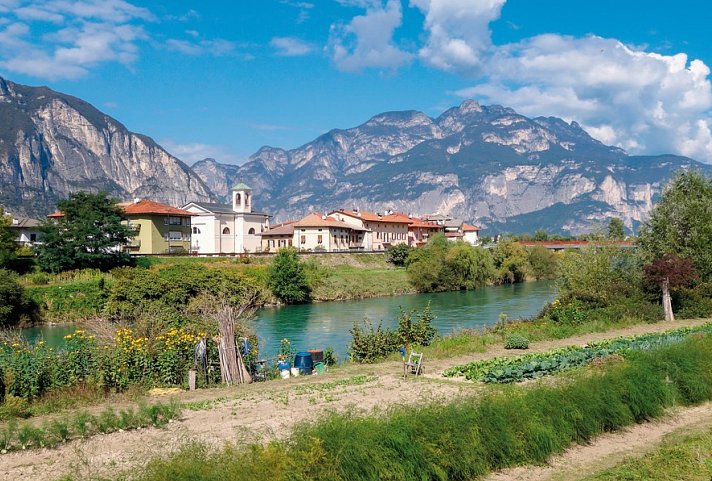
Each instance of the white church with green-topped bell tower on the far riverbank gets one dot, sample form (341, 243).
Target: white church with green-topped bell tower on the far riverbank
(228, 229)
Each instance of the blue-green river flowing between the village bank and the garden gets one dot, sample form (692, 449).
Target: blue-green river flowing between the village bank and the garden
(325, 324)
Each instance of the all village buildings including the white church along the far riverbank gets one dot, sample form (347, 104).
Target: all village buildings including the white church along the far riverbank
(202, 228)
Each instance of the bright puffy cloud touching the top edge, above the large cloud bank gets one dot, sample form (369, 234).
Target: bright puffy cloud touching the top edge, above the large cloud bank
(458, 31)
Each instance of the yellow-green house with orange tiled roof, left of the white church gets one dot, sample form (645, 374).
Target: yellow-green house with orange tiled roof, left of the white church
(158, 228)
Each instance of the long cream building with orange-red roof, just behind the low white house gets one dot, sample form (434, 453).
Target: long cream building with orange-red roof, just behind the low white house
(381, 230)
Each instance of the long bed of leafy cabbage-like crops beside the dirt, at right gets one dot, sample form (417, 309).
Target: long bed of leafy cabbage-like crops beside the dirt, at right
(515, 369)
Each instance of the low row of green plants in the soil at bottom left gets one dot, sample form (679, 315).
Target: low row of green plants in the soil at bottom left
(14, 436)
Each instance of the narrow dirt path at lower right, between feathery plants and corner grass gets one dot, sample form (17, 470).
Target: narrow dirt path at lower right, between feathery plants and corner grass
(610, 449)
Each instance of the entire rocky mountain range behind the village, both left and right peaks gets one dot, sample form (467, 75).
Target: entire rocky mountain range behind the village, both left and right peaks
(486, 164)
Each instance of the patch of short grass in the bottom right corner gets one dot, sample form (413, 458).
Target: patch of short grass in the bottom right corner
(687, 457)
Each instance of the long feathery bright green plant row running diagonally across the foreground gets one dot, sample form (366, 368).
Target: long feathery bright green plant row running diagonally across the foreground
(463, 439)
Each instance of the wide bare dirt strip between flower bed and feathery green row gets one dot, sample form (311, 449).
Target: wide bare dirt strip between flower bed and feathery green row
(267, 410)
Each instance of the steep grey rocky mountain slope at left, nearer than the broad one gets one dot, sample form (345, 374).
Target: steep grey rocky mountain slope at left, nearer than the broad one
(52, 144)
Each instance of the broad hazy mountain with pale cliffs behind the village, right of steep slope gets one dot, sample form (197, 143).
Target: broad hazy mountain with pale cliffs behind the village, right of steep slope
(488, 165)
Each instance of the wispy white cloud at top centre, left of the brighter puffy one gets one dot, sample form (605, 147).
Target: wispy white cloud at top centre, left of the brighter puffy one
(367, 40)
